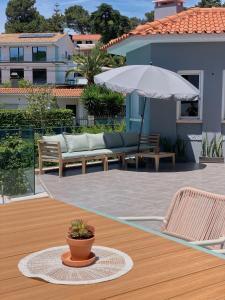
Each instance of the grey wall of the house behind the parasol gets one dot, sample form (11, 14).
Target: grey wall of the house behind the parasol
(208, 57)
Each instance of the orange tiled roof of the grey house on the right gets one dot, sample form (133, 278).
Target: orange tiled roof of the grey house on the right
(194, 20)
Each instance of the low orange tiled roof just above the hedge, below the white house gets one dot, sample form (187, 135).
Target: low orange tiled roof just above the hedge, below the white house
(57, 92)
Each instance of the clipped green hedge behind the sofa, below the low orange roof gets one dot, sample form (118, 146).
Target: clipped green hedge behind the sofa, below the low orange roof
(18, 118)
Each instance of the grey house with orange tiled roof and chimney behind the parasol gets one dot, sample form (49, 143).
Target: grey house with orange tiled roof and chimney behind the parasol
(191, 43)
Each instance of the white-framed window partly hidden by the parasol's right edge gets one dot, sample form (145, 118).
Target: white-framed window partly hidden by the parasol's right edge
(191, 109)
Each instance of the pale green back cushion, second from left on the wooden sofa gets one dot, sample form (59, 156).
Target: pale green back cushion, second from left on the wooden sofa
(76, 142)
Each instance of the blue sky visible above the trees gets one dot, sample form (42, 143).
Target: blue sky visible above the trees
(127, 7)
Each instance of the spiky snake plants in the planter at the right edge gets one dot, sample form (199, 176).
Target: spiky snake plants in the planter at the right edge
(212, 151)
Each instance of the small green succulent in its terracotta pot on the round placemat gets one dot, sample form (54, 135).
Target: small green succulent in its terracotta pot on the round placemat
(80, 240)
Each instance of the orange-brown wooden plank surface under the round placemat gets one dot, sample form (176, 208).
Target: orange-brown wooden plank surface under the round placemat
(162, 269)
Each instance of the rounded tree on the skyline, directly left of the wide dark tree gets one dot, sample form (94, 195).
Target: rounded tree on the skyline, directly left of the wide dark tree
(78, 19)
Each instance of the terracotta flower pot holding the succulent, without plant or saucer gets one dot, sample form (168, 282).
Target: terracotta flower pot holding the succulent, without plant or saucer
(80, 249)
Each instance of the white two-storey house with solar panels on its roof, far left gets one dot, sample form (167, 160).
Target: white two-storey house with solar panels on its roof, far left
(41, 58)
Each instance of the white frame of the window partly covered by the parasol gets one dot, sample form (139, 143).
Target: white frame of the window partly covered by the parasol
(200, 105)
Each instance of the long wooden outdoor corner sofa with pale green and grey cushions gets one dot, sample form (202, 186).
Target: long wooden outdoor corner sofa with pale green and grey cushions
(68, 148)
